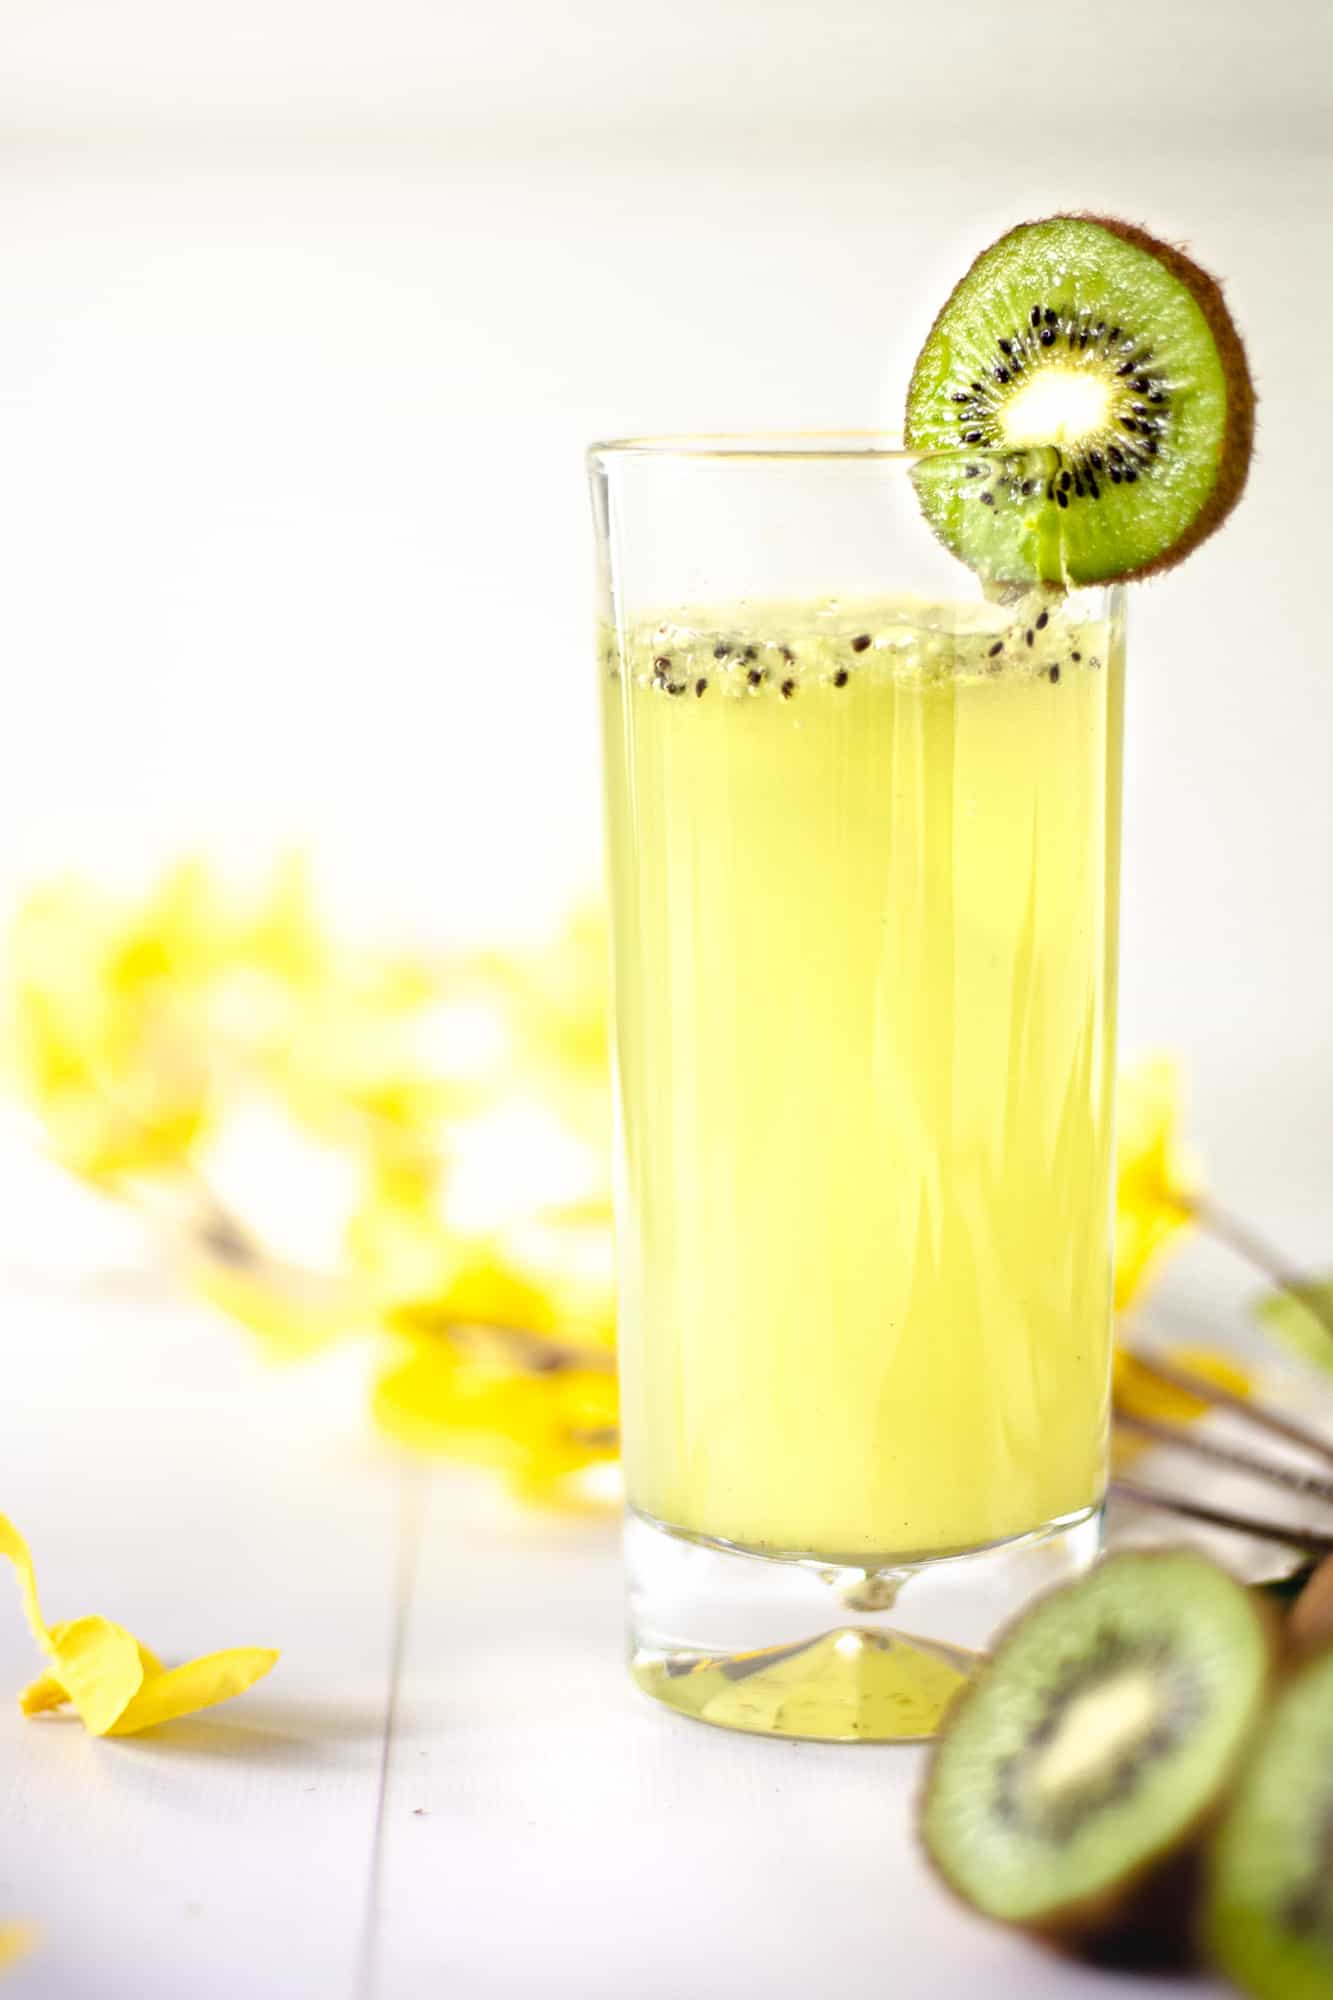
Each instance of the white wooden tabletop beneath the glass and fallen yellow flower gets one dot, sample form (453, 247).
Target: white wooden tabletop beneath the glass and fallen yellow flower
(447, 1787)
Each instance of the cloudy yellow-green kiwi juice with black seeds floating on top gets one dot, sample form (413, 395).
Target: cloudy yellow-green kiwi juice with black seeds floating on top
(864, 867)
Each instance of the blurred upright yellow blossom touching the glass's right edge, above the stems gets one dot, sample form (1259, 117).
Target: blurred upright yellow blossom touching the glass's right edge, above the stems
(1158, 1183)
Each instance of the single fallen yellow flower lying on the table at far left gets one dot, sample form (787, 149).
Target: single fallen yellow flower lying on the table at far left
(115, 1683)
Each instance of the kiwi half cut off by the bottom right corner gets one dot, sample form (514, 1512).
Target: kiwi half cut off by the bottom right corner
(1270, 1883)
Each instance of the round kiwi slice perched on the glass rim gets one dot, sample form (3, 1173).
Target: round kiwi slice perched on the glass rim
(1090, 403)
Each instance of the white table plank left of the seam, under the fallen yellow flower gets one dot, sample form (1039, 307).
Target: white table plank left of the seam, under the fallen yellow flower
(167, 1479)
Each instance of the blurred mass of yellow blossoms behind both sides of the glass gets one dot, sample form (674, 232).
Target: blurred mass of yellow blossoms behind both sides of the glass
(417, 1149)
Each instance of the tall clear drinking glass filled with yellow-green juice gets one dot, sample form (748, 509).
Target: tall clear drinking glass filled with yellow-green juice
(864, 849)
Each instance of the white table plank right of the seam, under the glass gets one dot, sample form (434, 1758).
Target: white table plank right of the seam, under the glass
(553, 1833)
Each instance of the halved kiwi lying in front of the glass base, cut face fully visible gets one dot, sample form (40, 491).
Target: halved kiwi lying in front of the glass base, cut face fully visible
(1088, 1759)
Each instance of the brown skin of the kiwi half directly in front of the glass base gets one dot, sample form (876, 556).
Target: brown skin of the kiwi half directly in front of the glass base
(1148, 1921)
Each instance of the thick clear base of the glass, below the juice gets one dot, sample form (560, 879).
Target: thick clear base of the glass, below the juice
(766, 1645)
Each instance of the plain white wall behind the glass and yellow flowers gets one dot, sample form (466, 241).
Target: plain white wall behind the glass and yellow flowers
(309, 309)
